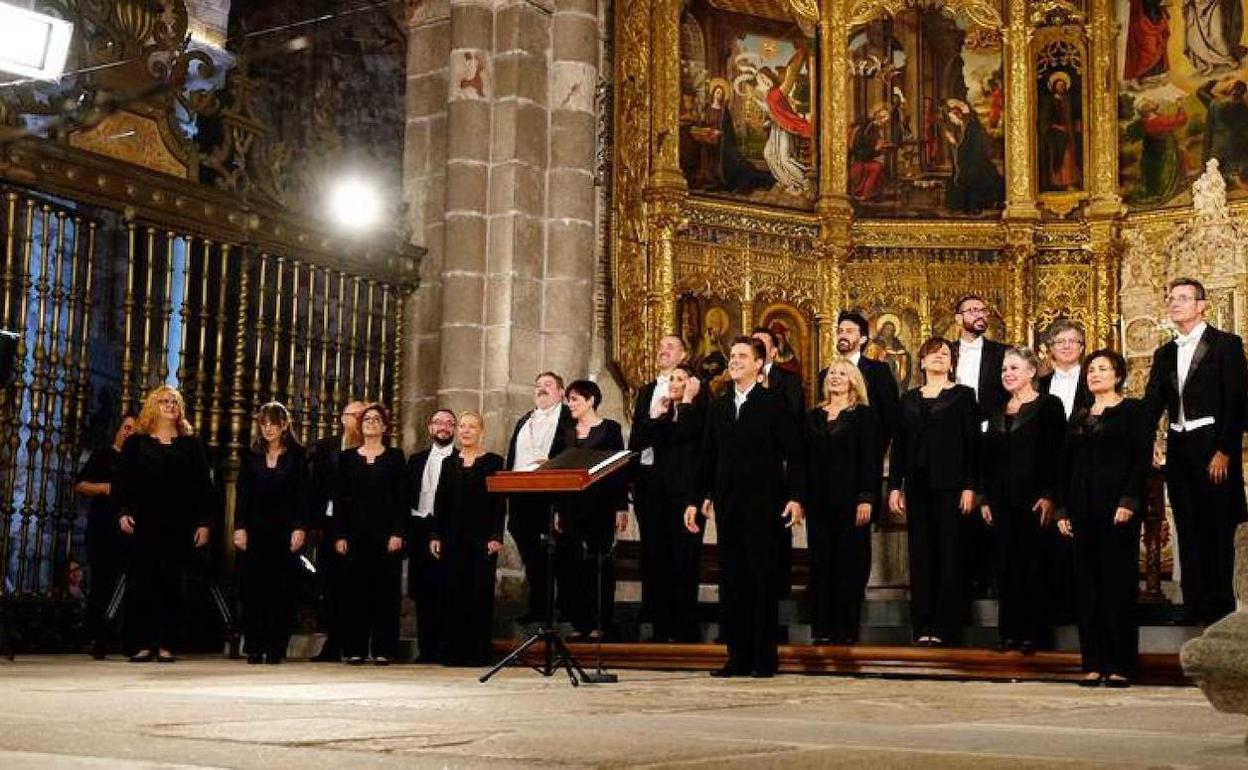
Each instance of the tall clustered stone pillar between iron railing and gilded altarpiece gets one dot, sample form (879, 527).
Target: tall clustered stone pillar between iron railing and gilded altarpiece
(499, 170)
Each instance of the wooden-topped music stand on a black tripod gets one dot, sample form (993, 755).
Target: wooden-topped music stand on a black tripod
(572, 472)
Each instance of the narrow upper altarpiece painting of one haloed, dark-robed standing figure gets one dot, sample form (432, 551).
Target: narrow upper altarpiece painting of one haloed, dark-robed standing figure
(1060, 110)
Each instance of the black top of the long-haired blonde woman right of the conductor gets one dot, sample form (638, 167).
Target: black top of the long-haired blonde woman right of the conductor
(843, 459)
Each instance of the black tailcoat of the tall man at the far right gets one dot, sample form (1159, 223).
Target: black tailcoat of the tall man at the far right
(1215, 387)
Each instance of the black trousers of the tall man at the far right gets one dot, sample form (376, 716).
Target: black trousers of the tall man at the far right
(1206, 516)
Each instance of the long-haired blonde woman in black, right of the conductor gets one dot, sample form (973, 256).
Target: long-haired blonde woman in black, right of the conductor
(843, 450)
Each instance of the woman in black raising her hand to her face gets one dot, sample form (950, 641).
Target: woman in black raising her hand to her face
(680, 424)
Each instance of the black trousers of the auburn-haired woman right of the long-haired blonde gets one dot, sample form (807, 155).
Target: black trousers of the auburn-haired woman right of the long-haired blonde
(937, 577)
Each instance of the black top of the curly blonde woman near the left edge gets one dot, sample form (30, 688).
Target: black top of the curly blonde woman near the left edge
(168, 489)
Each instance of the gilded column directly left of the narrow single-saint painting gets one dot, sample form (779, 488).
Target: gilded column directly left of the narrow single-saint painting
(1020, 118)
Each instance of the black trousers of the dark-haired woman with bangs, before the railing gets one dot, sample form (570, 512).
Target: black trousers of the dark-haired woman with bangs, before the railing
(268, 597)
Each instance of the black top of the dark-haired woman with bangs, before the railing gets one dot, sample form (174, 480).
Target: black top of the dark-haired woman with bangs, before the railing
(274, 501)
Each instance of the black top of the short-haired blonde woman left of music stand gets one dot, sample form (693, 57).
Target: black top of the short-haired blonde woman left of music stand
(466, 515)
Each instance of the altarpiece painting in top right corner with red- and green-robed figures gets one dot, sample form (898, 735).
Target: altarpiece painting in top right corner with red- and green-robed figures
(1182, 98)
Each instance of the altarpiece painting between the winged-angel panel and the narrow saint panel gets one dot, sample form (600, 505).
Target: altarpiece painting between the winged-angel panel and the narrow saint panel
(928, 127)
